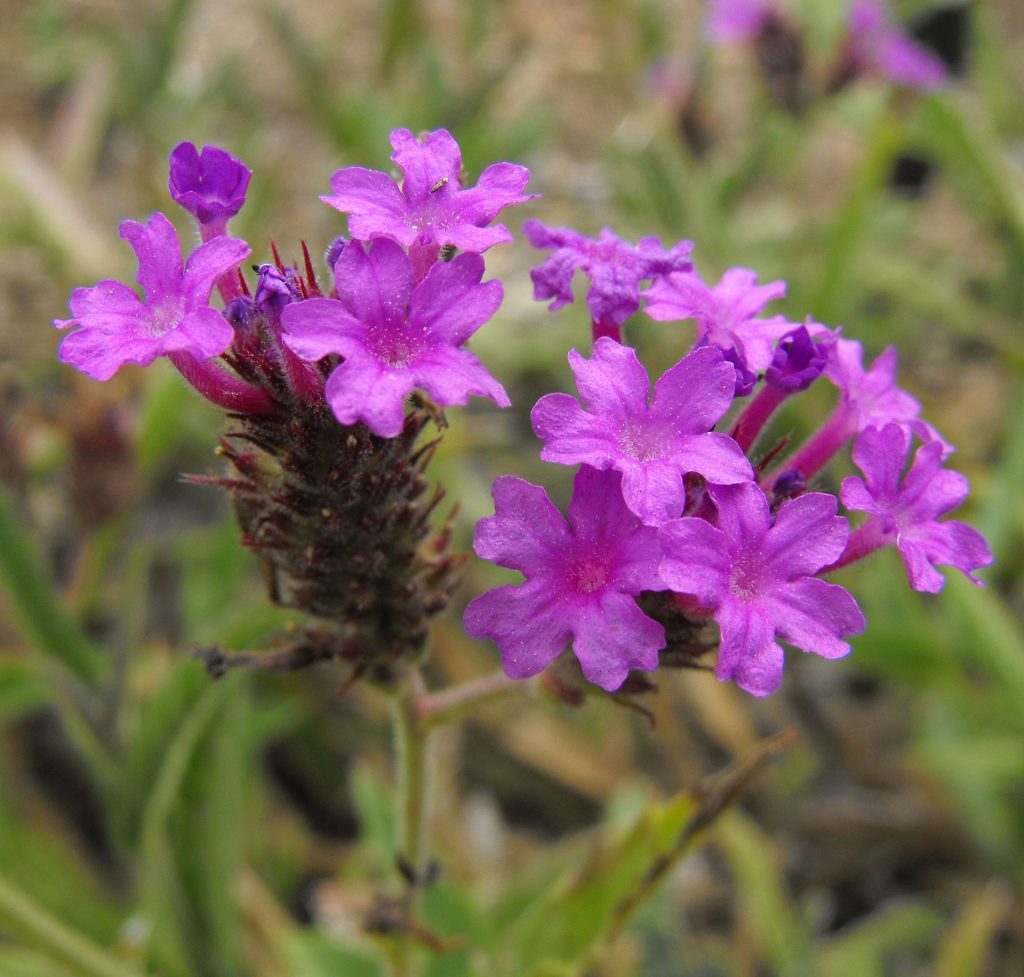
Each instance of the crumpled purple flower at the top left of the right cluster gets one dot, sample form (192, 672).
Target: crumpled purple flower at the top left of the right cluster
(615, 268)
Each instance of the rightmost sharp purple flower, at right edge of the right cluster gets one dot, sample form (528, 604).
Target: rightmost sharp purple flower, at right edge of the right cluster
(907, 513)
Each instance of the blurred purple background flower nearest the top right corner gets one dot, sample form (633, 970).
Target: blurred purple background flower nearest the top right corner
(873, 46)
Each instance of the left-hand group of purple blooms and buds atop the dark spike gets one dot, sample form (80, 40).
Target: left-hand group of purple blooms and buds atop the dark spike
(398, 319)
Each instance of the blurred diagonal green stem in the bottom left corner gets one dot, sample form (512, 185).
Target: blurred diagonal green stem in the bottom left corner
(23, 918)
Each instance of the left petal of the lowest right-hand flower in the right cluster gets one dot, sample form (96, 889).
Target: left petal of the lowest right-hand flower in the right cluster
(697, 560)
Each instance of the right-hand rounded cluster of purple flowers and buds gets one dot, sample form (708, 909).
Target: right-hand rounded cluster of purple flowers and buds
(664, 503)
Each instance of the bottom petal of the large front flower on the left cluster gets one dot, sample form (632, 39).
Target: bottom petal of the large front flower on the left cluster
(363, 390)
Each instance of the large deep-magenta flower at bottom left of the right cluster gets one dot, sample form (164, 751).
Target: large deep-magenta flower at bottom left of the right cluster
(582, 579)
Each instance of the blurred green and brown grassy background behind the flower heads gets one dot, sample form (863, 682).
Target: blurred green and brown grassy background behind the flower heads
(154, 822)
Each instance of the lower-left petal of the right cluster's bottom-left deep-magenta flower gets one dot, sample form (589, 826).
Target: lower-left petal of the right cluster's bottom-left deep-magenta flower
(525, 624)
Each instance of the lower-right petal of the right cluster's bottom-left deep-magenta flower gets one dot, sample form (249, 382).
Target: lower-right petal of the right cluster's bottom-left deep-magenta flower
(615, 638)
